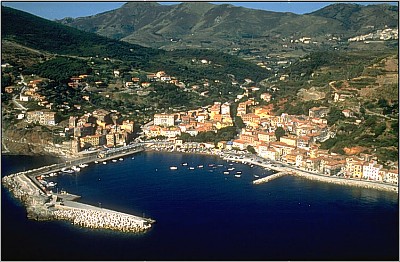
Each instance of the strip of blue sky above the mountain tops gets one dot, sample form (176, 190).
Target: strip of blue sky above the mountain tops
(59, 10)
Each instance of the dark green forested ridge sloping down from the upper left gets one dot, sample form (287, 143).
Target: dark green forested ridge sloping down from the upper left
(48, 36)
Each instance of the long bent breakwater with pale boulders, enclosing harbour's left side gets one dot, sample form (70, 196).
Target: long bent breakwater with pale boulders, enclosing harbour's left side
(46, 205)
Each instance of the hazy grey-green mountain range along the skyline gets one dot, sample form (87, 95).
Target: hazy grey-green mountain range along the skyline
(200, 24)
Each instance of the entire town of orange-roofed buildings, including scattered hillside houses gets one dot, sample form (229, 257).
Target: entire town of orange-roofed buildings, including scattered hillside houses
(291, 139)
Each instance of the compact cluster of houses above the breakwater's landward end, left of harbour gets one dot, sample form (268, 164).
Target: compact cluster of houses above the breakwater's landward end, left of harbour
(99, 128)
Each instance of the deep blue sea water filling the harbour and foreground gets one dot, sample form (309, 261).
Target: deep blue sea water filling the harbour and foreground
(204, 215)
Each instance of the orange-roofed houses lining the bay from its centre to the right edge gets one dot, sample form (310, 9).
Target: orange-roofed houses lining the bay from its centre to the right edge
(299, 146)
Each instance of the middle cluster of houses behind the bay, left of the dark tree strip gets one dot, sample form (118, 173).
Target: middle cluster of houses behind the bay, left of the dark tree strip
(193, 122)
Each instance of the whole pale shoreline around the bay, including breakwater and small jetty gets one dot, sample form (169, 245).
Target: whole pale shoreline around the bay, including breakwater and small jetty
(44, 205)
